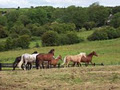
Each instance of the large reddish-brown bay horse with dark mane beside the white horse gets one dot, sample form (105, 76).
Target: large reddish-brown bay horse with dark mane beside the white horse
(40, 58)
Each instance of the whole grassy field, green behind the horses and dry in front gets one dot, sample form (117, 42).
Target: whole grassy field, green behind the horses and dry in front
(73, 78)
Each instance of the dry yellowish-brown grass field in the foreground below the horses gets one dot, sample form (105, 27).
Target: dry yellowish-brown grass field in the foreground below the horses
(77, 78)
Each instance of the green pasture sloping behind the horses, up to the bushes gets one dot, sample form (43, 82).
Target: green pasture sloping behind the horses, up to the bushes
(108, 50)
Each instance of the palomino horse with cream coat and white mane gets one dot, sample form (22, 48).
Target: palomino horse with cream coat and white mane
(73, 58)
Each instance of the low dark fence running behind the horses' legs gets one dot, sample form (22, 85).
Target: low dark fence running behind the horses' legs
(10, 65)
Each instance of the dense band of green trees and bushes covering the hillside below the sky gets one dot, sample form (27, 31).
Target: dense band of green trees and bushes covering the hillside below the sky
(59, 23)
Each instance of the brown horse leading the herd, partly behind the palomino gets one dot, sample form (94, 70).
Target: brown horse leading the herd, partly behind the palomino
(88, 58)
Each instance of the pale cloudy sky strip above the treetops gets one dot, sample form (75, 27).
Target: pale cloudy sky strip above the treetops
(55, 3)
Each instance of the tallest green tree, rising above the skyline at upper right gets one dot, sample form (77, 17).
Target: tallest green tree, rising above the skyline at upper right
(98, 14)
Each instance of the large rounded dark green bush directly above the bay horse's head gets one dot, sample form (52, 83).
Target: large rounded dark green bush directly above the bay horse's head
(50, 38)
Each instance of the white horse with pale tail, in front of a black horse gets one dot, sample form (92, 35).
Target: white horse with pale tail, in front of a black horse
(27, 58)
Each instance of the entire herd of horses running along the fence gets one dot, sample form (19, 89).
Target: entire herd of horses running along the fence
(25, 61)
